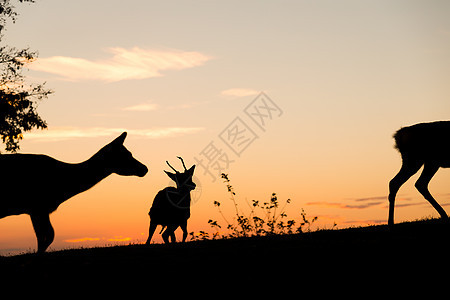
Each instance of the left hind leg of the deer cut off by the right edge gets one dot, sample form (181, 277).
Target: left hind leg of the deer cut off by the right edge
(408, 169)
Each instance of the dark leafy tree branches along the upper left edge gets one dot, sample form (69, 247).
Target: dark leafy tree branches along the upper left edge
(18, 101)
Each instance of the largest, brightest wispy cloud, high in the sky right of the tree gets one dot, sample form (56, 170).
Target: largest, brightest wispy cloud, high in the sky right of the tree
(125, 64)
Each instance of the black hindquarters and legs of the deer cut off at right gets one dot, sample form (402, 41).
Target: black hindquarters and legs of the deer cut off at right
(426, 144)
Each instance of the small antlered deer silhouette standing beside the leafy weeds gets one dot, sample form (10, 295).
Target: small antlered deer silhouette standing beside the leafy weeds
(171, 206)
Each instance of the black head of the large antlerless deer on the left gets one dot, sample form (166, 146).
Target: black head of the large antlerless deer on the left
(119, 160)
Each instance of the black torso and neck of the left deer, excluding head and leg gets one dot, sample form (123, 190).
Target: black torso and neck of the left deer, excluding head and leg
(40, 183)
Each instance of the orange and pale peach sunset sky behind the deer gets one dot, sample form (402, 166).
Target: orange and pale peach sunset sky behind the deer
(338, 79)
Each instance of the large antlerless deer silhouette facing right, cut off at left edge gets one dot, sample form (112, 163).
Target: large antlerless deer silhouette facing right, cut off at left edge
(37, 184)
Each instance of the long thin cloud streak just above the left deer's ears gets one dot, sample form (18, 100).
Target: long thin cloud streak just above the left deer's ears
(67, 133)
